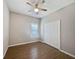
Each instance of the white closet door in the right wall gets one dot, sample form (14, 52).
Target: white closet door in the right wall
(52, 33)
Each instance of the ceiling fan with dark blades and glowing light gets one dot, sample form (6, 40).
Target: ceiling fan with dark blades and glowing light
(36, 7)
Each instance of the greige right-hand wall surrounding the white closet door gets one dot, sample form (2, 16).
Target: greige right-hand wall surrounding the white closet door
(66, 16)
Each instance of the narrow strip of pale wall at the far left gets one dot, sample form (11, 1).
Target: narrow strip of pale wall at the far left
(5, 27)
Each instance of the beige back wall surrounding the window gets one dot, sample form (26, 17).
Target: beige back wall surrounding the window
(20, 28)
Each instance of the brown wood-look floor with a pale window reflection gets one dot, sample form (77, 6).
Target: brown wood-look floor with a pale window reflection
(36, 50)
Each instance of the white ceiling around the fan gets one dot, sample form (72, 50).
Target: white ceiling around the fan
(19, 6)
